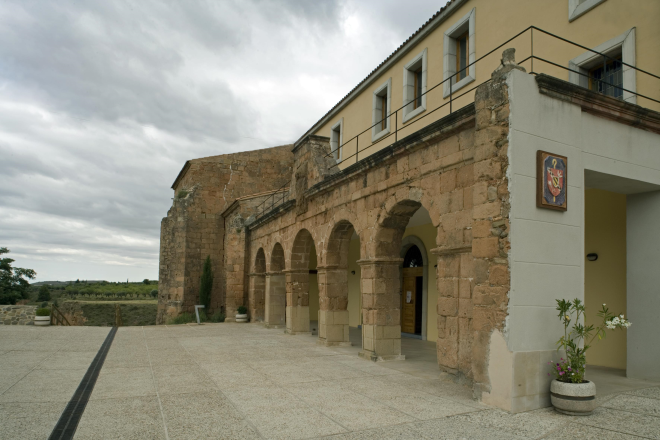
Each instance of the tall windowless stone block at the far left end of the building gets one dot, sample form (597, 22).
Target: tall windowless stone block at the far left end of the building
(194, 228)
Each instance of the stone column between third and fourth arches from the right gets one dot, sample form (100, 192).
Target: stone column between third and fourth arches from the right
(297, 301)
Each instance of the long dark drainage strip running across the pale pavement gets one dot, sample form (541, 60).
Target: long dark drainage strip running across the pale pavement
(68, 422)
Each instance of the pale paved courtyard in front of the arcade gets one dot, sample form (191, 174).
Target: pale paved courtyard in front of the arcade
(245, 381)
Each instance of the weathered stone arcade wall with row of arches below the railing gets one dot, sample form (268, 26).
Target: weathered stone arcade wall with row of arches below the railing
(456, 169)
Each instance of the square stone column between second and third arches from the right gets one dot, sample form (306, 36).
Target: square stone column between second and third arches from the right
(333, 302)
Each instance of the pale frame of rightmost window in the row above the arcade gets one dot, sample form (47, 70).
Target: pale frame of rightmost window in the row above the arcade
(467, 23)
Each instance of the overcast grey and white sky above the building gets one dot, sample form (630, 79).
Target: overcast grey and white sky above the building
(102, 102)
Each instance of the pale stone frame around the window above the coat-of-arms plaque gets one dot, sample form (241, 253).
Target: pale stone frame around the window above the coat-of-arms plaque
(623, 44)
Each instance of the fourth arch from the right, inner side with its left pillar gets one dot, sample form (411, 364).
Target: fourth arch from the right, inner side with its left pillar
(275, 301)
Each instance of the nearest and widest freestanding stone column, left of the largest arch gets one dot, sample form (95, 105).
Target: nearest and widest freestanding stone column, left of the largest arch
(381, 315)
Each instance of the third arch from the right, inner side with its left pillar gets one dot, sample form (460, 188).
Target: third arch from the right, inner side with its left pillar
(297, 284)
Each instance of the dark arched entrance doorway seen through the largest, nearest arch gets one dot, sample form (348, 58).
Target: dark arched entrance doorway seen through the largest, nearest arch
(411, 292)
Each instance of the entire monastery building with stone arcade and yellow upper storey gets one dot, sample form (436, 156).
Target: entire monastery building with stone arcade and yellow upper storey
(452, 196)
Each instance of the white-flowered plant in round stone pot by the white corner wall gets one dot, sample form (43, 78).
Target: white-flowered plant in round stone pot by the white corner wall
(570, 392)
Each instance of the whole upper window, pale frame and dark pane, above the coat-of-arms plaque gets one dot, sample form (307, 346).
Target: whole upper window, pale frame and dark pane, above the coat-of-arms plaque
(608, 74)
